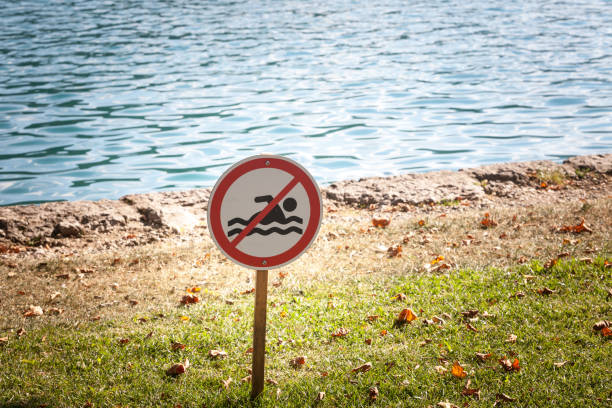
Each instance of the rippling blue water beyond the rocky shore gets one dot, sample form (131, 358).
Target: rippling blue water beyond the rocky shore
(103, 98)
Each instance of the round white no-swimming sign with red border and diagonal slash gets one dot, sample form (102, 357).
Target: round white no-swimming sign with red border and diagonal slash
(264, 211)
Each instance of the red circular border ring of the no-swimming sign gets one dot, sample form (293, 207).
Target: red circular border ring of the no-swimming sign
(229, 177)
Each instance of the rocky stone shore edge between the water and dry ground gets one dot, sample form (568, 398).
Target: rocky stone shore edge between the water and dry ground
(145, 218)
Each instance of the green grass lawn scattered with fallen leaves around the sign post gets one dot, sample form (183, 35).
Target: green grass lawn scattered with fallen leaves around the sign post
(73, 366)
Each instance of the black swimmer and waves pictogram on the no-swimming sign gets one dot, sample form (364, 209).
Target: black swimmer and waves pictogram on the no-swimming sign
(276, 214)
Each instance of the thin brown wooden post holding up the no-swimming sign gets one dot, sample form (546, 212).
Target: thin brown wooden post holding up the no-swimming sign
(259, 333)
